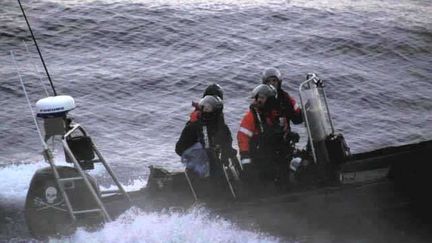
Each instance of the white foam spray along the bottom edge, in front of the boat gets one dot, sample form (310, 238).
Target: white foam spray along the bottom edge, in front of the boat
(194, 226)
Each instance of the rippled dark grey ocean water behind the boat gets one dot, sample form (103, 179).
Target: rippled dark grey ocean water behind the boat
(134, 67)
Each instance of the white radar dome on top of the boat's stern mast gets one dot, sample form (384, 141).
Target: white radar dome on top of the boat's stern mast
(54, 105)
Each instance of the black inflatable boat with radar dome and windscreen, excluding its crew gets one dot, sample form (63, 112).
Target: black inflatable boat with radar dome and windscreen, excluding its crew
(62, 198)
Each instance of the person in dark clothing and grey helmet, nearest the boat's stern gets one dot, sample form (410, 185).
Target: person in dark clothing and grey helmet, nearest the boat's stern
(210, 133)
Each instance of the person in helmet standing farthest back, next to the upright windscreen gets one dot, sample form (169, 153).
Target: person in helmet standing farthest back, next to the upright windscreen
(287, 107)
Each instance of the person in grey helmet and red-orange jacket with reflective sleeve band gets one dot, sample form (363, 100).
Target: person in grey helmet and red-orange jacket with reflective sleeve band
(260, 136)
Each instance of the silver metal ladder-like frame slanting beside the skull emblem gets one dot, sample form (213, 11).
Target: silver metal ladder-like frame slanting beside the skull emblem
(82, 176)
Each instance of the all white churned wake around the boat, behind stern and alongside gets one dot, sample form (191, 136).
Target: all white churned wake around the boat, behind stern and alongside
(135, 225)
